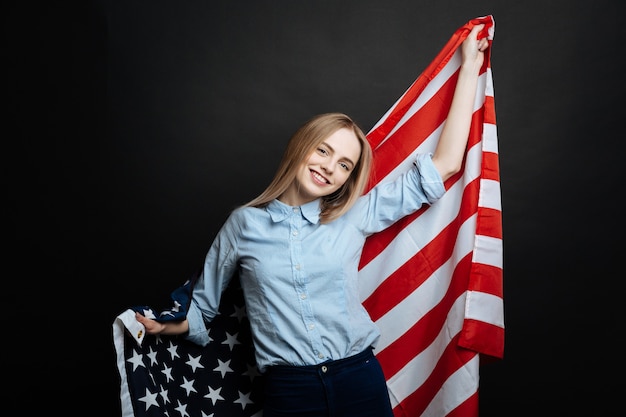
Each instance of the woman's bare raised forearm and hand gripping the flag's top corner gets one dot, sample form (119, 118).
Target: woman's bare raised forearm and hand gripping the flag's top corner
(448, 155)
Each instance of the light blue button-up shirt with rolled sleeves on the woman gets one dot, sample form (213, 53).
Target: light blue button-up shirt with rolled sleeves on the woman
(300, 277)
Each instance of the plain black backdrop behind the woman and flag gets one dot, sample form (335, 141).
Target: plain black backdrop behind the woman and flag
(134, 127)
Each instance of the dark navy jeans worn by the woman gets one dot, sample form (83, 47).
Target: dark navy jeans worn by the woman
(349, 387)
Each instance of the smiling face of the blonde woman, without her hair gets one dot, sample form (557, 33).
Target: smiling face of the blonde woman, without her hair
(326, 169)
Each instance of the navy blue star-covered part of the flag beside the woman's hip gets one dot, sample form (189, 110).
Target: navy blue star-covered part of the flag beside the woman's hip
(167, 376)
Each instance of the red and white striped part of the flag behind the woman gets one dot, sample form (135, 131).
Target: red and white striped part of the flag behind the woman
(433, 281)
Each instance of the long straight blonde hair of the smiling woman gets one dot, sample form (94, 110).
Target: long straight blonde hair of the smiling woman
(302, 143)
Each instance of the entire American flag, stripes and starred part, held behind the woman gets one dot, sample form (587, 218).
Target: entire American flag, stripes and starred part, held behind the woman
(432, 282)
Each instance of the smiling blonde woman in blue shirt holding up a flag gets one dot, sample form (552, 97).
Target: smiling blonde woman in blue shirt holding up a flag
(296, 249)
